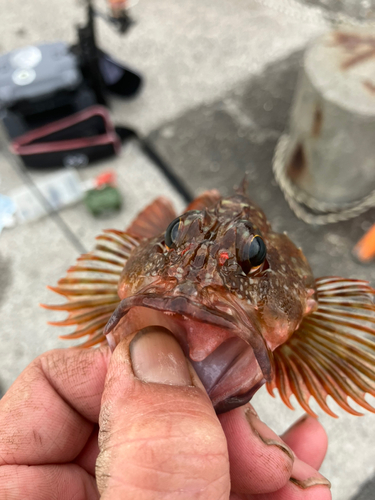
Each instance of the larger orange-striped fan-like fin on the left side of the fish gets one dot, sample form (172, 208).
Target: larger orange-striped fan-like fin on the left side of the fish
(90, 287)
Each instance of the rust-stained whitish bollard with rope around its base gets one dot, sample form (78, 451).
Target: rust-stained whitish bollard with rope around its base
(331, 149)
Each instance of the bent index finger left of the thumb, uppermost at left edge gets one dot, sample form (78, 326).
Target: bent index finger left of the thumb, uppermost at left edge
(49, 412)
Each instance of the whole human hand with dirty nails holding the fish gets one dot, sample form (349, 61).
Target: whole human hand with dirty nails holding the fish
(159, 435)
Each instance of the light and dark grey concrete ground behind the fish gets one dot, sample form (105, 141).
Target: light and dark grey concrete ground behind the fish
(219, 79)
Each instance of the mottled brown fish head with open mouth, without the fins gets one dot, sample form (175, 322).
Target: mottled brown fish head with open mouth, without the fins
(226, 287)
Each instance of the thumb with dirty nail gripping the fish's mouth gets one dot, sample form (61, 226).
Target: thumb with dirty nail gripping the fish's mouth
(159, 436)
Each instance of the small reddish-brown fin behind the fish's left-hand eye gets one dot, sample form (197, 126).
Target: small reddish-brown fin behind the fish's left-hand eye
(153, 220)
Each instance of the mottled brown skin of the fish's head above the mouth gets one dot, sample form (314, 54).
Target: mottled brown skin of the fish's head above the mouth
(203, 266)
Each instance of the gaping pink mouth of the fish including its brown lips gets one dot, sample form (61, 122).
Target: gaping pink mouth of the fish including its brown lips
(231, 361)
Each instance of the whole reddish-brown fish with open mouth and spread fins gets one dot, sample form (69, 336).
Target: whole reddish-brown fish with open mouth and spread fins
(240, 299)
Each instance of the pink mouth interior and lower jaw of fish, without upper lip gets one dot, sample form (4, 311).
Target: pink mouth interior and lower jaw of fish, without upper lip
(225, 363)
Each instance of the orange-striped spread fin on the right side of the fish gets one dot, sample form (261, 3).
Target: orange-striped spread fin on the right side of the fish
(332, 353)
